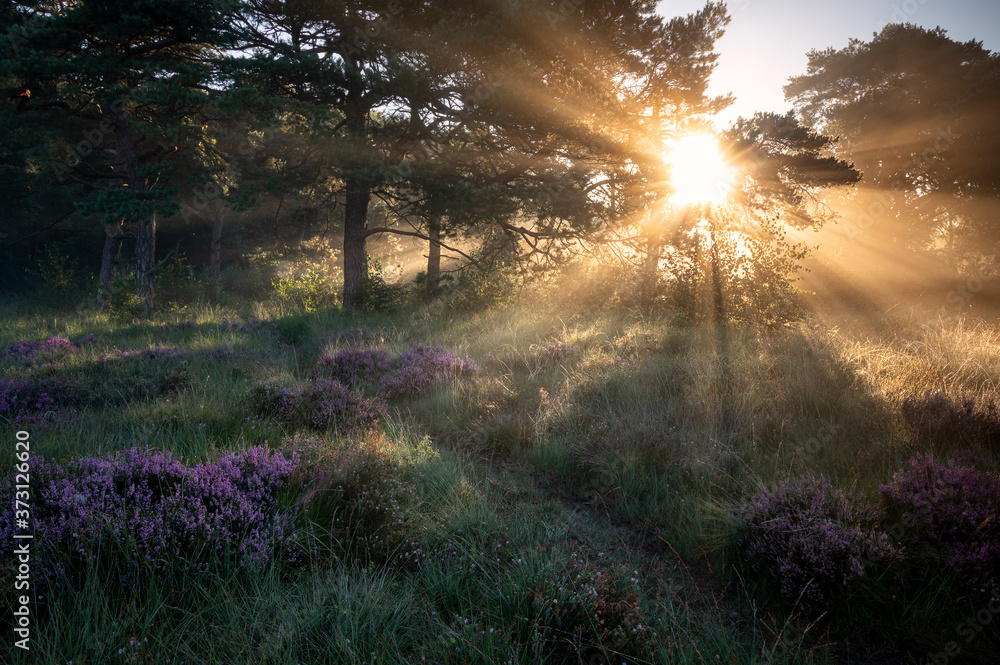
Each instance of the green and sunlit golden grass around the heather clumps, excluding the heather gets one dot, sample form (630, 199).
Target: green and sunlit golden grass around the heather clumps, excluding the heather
(615, 440)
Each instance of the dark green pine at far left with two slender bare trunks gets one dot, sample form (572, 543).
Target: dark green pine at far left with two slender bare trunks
(129, 76)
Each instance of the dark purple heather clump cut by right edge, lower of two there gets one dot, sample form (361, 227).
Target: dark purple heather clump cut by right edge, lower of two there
(946, 518)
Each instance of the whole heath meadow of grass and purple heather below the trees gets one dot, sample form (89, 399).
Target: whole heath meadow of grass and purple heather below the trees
(528, 484)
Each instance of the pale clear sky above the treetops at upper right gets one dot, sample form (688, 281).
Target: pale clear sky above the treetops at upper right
(767, 40)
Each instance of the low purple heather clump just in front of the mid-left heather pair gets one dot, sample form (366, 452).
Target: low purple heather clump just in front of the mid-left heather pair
(324, 404)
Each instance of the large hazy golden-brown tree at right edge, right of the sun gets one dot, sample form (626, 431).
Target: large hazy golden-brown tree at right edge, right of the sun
(916, 112)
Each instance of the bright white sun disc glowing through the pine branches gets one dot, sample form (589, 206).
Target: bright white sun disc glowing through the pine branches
(698, 172)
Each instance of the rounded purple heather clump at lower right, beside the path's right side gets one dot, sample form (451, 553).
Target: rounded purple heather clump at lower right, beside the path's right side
(810, 539)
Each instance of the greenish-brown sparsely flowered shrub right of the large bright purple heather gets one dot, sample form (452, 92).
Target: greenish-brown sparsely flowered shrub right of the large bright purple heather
(353, 493)
